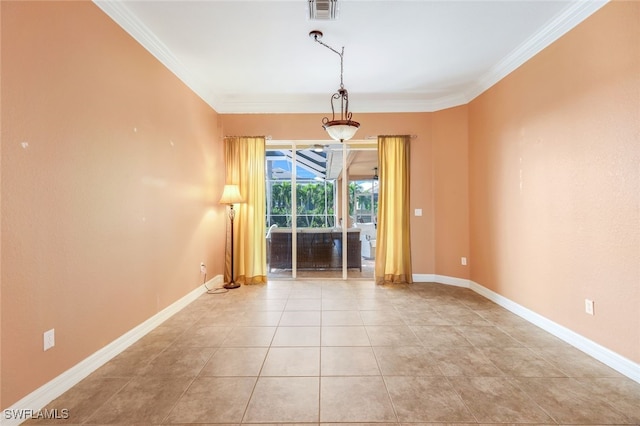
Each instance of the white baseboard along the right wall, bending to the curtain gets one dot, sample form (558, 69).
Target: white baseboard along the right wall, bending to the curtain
(619, 363)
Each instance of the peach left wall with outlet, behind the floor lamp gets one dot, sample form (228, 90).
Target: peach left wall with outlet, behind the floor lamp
(111, 173)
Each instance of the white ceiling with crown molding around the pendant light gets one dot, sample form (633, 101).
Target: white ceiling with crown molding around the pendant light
(400, 56)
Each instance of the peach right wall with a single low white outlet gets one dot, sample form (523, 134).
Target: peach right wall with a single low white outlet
(554, 153)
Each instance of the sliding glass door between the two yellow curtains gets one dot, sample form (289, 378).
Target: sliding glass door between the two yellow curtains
(308, 189)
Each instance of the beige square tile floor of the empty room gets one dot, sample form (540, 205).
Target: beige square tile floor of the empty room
(350, 352)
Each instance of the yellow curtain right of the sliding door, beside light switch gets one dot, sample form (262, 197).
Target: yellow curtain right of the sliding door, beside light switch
(393, 244)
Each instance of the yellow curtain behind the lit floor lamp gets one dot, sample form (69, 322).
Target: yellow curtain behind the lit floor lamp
(245, 168)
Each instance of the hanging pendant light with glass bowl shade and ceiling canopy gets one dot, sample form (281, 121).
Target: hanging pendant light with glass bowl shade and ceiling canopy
(344, 128)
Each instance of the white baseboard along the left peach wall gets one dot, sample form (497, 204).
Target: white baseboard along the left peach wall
(39, 398)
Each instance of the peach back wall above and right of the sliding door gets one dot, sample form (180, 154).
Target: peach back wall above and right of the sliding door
(438, 157)
